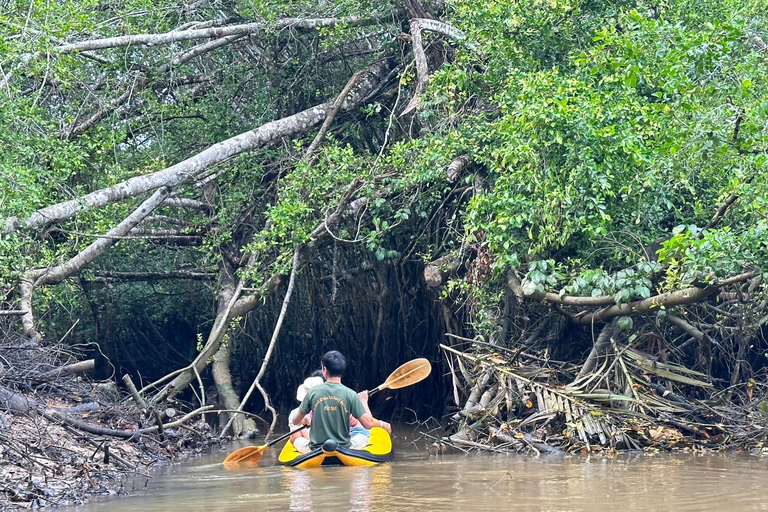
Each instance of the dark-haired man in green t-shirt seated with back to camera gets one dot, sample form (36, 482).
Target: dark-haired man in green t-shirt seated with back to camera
(331, 404)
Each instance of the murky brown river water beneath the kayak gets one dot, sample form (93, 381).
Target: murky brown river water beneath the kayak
(414, 481)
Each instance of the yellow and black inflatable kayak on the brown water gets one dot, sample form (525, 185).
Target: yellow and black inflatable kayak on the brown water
(378, 450)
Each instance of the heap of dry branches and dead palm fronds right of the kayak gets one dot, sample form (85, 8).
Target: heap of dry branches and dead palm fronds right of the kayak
(631, 399)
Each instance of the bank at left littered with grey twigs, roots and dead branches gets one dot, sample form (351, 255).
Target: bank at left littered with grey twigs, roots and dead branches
(64, 437)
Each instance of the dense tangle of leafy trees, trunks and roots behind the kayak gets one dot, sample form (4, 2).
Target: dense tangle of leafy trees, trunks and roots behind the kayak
(574, 191)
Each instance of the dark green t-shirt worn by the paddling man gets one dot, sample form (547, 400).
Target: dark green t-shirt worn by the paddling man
(331, 404)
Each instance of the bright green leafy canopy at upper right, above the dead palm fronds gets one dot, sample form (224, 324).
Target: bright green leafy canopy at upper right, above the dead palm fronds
(645, 123)
